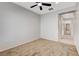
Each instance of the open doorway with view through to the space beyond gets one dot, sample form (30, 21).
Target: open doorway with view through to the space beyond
(65, 27)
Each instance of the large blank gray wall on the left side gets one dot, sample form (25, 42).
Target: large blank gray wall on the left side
(17, 25)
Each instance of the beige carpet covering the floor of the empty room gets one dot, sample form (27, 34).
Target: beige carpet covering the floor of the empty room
(42, 47)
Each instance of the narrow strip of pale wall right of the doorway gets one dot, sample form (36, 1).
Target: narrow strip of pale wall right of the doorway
(76, 28)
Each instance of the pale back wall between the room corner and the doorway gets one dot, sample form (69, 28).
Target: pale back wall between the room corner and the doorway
(49, 26)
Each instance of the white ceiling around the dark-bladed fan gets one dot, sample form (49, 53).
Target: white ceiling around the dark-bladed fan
(36, 9)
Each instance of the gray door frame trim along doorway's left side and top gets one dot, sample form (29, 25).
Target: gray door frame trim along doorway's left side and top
(60, 22)
